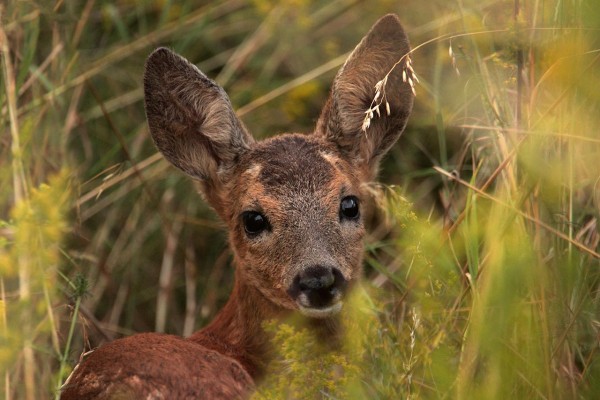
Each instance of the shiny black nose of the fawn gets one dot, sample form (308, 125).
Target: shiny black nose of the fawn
(317, 286)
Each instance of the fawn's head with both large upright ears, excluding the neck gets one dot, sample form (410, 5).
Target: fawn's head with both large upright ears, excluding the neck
(292, 203)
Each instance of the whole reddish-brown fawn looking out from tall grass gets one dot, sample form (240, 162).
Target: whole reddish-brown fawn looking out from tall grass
(292, 204)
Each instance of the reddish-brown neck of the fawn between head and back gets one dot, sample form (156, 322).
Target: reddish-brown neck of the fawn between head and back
(237, 330)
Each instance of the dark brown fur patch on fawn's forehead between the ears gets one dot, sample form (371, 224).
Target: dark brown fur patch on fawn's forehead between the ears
(292, 162)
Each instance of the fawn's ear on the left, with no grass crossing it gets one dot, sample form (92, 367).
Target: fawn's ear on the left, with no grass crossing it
(191, 118)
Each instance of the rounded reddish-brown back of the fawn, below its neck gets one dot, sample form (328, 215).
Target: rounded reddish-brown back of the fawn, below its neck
(156, 366)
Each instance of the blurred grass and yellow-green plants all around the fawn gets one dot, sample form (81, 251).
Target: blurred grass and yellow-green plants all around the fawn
(482, 267)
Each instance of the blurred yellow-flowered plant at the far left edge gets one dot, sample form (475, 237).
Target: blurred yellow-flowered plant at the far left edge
(29, 266)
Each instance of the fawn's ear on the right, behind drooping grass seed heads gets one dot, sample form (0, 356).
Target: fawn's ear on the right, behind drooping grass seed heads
(353, 93)
